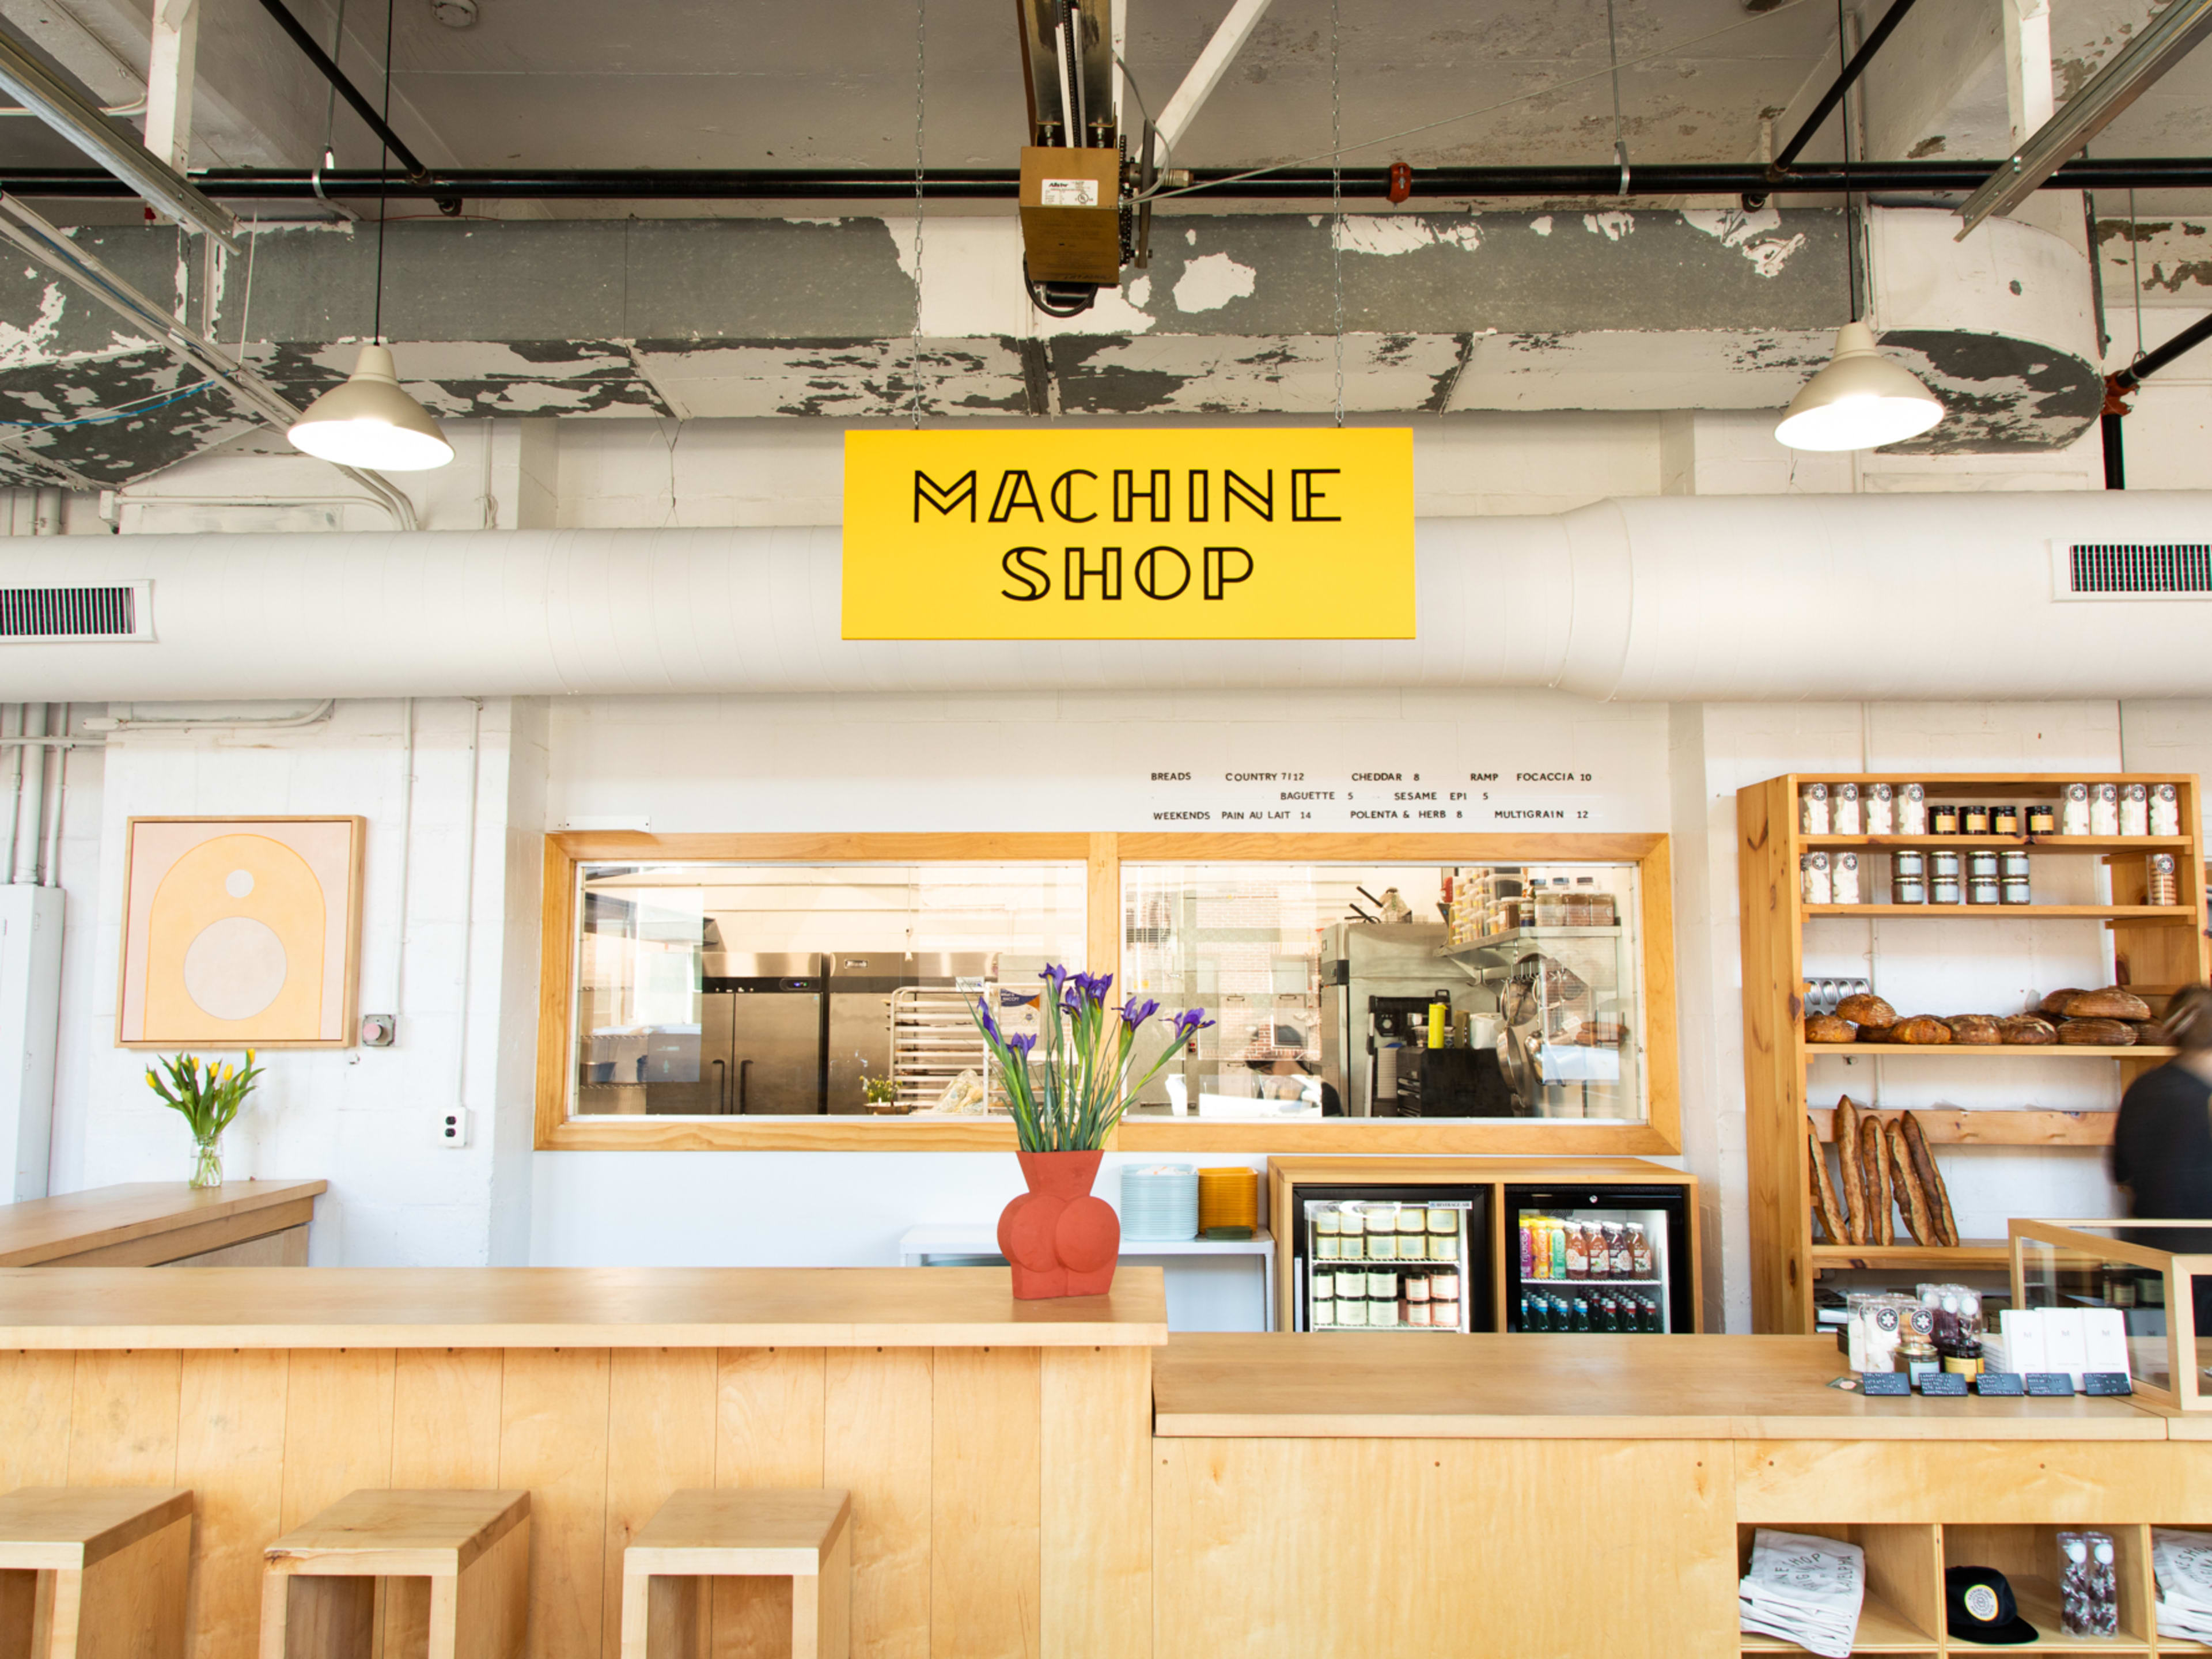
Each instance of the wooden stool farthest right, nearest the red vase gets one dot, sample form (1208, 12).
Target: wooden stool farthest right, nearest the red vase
(804, 1536)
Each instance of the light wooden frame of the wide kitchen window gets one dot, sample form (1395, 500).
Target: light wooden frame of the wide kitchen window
(1103, 855)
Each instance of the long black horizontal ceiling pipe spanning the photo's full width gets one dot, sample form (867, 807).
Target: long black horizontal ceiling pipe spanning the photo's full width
(1441, 187)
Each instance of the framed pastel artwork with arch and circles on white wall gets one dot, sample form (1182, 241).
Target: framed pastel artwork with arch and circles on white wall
(240, 932)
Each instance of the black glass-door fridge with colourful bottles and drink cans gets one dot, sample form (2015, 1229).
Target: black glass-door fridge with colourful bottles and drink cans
(1598, 1260)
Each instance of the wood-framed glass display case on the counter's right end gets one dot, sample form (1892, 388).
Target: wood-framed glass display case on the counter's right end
(2156, 1275)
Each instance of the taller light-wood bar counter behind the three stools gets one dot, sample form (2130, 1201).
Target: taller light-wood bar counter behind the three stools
(997, 1450)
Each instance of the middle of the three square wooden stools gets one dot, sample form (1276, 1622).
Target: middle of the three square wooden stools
(474, 1547)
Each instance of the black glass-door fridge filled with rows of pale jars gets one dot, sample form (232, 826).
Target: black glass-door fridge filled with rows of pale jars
(1392, 1260)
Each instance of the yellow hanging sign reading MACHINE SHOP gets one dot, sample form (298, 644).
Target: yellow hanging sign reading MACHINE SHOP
(1145, 534)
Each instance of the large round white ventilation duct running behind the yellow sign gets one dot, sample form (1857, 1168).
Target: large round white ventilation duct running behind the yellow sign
(1649, 601)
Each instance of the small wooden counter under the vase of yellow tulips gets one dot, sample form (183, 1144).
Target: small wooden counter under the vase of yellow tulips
(240, 1224)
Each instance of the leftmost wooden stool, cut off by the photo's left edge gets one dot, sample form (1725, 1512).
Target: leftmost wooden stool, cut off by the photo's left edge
(94, 1572)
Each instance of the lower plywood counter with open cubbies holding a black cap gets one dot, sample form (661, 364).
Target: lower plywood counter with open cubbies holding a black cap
(1572, 1496)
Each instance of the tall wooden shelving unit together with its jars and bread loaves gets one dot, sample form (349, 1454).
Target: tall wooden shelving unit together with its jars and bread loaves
(2111, 853)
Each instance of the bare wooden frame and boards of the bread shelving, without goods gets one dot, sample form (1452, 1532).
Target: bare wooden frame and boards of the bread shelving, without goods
(2156, 950)
